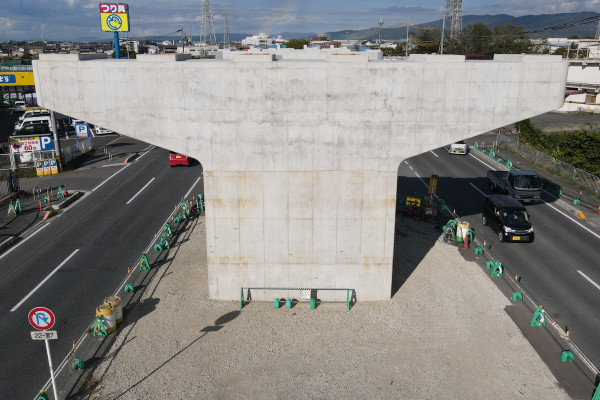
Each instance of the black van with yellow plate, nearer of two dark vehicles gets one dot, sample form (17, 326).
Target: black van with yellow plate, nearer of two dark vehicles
(508, 218)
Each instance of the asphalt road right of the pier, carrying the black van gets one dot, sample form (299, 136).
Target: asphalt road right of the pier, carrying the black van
(552, 268)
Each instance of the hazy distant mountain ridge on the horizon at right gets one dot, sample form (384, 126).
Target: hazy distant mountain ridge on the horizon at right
(528, 22)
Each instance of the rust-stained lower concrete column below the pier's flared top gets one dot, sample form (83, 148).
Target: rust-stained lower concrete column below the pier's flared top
(309, 229)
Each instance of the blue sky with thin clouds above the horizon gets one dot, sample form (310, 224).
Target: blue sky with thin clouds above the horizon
(78, 19)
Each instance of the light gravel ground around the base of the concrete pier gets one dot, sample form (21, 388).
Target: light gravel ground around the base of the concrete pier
(444, 335)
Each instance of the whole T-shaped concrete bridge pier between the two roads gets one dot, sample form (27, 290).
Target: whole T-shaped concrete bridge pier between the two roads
(300, 151)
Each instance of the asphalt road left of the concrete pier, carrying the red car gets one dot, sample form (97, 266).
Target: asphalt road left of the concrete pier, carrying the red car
(82, 255)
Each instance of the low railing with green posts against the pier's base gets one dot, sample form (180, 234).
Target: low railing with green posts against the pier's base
(304, 295)
